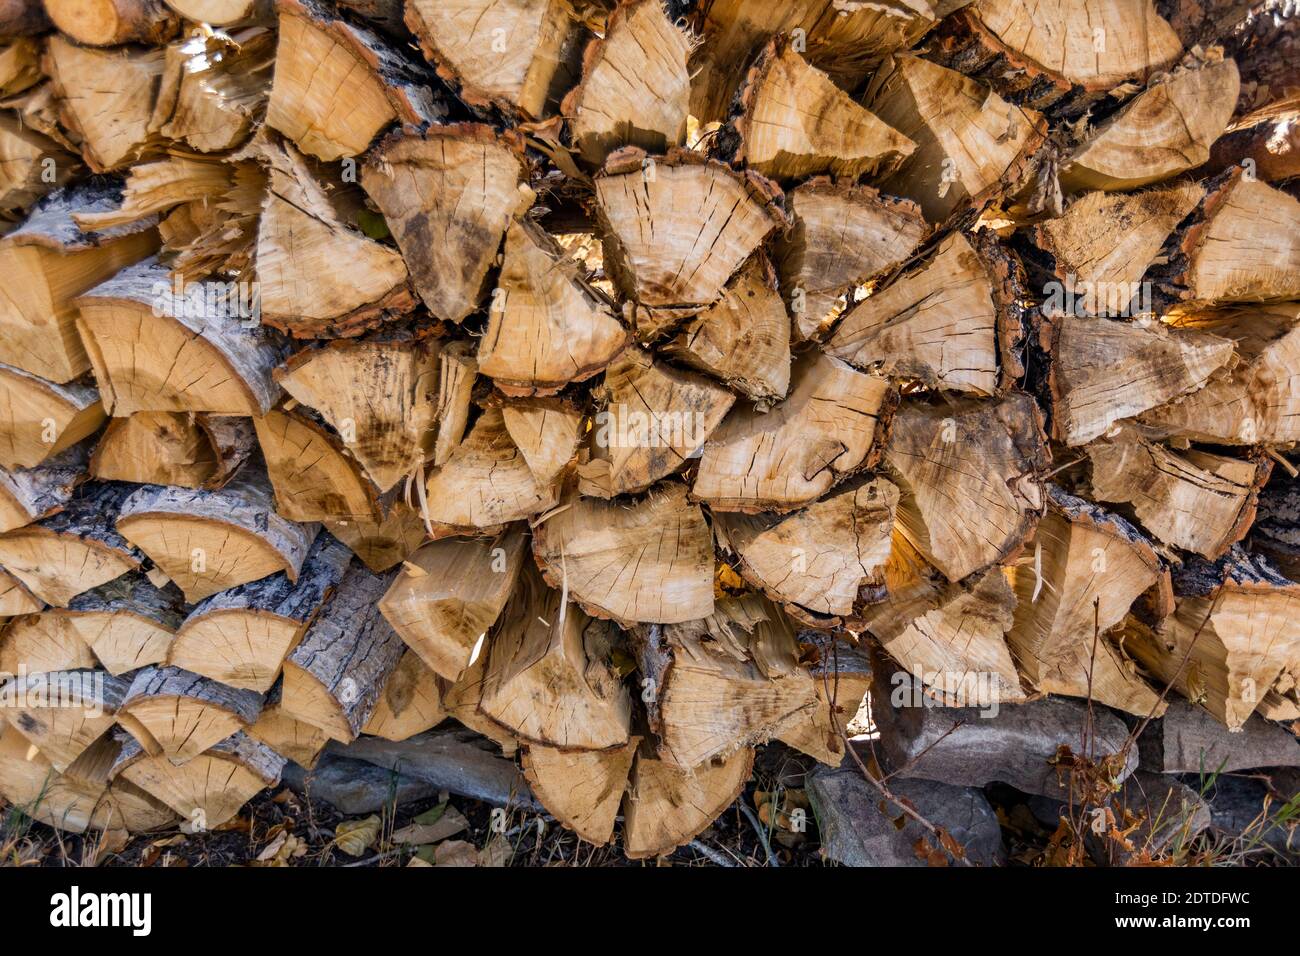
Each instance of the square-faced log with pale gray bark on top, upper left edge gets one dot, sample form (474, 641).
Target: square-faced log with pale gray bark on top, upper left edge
(58, 262)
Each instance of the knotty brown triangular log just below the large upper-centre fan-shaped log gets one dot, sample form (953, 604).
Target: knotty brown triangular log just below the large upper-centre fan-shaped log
(744, 339)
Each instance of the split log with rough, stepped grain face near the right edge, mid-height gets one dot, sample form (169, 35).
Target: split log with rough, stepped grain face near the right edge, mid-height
(1194, 500)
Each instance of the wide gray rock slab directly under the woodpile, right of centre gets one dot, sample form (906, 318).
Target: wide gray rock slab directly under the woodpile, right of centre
(1012, 746)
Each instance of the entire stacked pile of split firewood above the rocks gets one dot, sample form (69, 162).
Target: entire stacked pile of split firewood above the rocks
(616, 379)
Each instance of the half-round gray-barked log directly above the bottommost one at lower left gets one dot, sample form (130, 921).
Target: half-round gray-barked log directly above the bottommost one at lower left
(179, 715)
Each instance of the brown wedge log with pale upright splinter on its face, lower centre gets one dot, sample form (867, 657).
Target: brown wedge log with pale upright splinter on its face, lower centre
(547, 680)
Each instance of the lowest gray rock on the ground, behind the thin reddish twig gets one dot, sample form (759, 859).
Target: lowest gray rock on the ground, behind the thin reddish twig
(857, 833)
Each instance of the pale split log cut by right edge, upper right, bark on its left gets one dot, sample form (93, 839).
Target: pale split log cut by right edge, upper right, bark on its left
(1243, 245)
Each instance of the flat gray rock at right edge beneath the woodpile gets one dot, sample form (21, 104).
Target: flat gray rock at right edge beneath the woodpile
(1190, 741)
